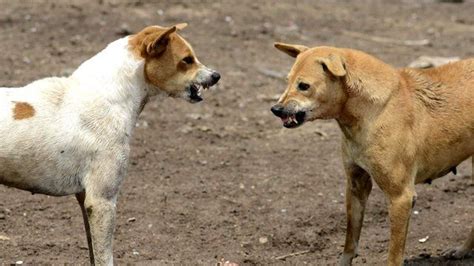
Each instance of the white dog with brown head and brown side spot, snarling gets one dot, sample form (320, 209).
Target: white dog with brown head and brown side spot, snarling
(63, 136)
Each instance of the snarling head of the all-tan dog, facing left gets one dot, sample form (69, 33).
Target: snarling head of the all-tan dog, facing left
(315, 87)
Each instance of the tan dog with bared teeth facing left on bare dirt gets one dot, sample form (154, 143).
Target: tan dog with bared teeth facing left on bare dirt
(400, 127)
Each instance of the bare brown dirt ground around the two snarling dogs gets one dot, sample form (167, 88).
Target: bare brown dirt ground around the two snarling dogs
(222, 178)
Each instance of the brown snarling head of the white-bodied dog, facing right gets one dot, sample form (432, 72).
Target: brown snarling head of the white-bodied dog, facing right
(171, 65)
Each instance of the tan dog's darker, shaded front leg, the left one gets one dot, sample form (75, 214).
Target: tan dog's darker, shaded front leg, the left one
(358, 188)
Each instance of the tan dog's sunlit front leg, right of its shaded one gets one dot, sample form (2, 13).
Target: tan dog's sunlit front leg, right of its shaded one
(400, 207)
